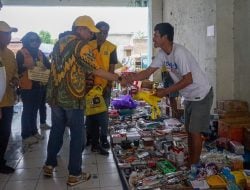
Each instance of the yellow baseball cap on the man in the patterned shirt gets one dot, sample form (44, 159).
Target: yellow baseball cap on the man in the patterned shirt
(86, 21)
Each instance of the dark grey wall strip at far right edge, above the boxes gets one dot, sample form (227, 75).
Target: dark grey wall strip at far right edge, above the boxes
(242, 49)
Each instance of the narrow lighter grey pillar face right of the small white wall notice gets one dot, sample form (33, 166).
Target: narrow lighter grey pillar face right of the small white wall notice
(225, 50)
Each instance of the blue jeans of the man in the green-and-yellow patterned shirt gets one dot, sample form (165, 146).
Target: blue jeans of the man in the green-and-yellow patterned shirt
(74, 118)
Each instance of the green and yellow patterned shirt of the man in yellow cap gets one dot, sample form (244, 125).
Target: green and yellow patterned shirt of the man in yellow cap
(72, 59)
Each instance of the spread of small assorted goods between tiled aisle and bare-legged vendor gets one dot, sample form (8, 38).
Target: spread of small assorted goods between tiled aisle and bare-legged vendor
(150, 153)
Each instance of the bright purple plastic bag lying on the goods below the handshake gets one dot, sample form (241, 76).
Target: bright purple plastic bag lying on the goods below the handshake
(124, 102)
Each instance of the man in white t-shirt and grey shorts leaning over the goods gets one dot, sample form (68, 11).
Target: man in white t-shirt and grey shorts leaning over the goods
(189, 80)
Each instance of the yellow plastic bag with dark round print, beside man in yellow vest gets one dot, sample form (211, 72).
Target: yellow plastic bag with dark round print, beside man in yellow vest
(95, 102)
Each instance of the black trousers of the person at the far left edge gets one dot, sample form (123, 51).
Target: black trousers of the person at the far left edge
(5, 130)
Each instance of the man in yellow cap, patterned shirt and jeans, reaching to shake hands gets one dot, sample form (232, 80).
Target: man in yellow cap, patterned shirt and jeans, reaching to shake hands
(72, 59)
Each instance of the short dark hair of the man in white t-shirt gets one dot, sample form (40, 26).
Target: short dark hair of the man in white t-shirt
(165, 29)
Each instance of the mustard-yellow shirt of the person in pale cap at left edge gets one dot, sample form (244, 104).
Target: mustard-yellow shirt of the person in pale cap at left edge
(8, 60)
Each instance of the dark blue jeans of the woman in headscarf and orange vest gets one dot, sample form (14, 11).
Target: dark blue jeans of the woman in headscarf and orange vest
(31, 101)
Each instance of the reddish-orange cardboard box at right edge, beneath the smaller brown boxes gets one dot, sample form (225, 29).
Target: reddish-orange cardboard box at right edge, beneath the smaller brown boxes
(233, 128)
